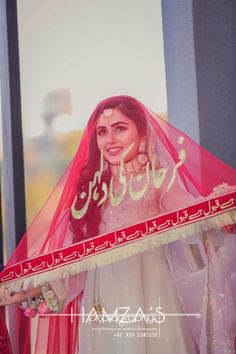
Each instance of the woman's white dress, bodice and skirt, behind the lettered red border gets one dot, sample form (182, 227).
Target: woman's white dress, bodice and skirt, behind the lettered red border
(140, 281)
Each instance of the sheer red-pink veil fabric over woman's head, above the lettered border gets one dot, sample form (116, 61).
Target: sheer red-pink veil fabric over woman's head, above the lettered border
(200, 173)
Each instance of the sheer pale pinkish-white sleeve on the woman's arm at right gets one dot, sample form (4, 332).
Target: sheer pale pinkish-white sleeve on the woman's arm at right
(205, 277)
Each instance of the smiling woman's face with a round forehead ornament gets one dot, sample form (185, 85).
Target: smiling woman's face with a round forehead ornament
(115, 133)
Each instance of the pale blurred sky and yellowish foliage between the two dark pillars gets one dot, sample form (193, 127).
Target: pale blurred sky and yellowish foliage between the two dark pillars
(72, 55)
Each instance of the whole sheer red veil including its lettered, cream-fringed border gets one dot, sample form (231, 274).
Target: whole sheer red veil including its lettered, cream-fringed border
(196, 193)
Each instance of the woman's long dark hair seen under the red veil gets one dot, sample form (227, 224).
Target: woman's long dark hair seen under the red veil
(87, 226)
